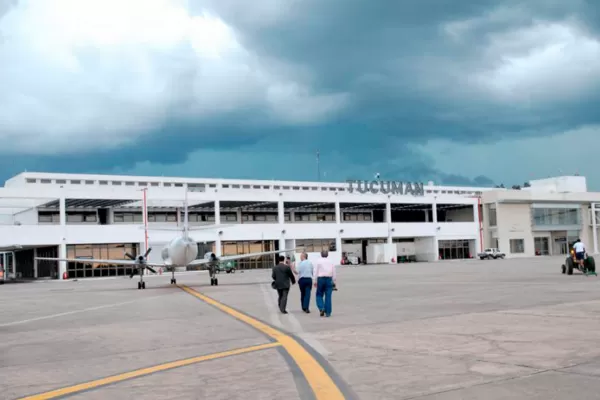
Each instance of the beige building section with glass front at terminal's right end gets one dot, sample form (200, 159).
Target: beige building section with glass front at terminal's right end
(543, 219)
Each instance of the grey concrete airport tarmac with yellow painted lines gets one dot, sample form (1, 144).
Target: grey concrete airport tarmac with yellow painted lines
(497, 329)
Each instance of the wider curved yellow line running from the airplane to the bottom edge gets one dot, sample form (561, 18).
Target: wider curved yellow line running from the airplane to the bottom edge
(319, 380)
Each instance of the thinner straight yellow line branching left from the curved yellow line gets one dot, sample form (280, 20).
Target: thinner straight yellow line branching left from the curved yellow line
(145, 371)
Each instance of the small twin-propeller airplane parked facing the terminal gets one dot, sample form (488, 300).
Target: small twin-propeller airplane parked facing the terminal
(182, 251)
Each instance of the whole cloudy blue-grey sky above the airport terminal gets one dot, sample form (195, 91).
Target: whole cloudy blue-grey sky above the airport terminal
(456, 91)
